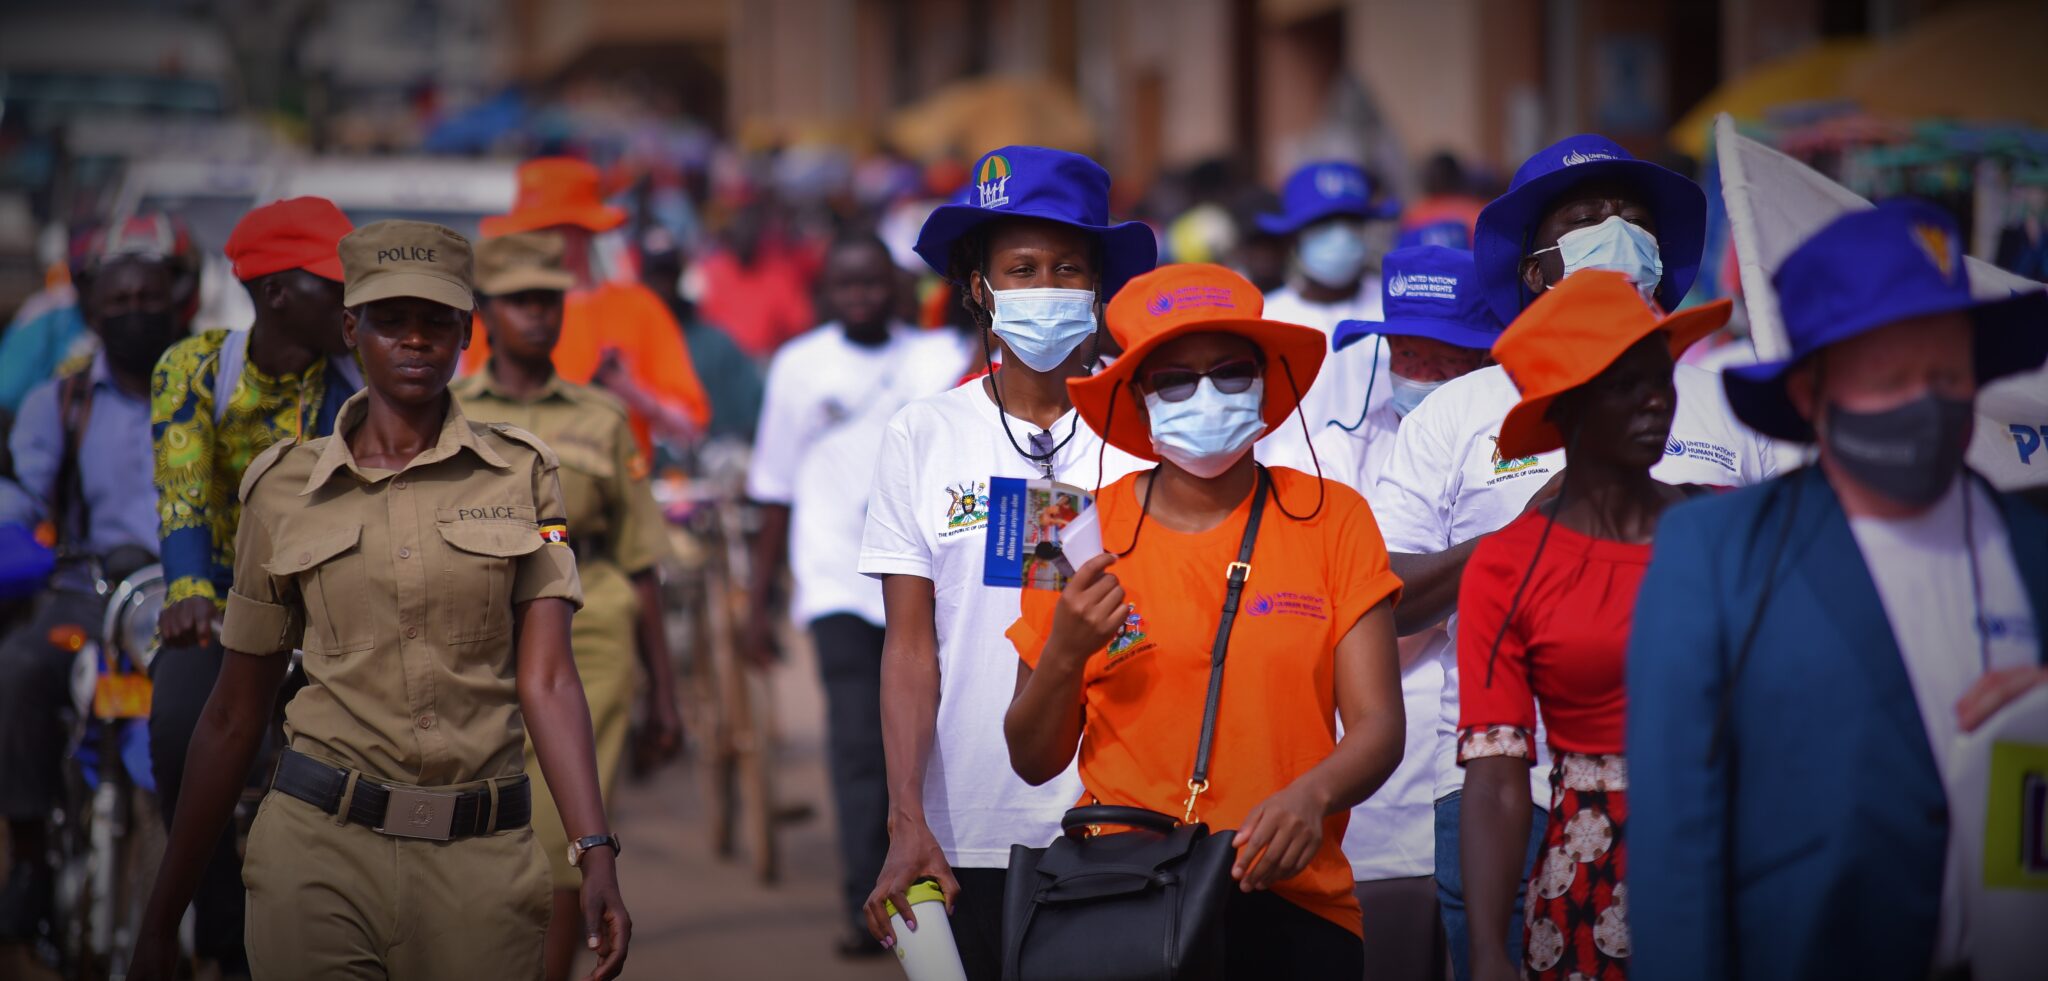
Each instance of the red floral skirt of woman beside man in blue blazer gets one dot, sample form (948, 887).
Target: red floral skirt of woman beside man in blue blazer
(1578, 906)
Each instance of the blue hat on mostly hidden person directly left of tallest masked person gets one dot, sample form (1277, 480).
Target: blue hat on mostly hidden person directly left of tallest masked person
(1431, 292)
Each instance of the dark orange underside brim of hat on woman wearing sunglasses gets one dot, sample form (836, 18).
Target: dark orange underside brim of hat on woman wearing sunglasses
(1289, 349)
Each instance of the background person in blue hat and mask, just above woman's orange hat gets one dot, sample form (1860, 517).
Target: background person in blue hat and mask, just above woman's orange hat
(1328, 208)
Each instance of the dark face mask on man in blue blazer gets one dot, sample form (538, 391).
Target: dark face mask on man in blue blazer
(1906, 454)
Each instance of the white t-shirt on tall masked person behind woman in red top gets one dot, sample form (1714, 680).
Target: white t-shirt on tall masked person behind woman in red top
(1445, 484)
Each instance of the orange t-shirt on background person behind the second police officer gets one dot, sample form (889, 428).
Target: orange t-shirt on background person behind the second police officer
(634, 323)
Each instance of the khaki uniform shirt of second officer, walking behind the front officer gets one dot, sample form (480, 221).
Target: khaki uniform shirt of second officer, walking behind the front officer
(605, 486)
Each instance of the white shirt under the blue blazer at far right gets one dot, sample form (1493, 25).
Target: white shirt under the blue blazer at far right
(1934, 601)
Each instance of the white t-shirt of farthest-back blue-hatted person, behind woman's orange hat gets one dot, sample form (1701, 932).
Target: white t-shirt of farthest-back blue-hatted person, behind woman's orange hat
(1340, 390)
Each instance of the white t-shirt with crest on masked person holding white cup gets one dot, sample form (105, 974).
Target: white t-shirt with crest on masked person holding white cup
(929, 517)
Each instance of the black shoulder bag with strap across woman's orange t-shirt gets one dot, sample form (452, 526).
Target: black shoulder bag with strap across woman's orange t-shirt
(1144, 904)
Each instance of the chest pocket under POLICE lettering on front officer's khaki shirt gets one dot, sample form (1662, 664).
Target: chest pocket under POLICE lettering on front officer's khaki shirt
(482, 562)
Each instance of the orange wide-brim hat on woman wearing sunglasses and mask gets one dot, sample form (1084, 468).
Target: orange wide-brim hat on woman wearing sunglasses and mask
(1177, 302)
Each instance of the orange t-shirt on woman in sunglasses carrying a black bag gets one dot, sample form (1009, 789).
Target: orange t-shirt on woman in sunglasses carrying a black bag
(1312, 581)
